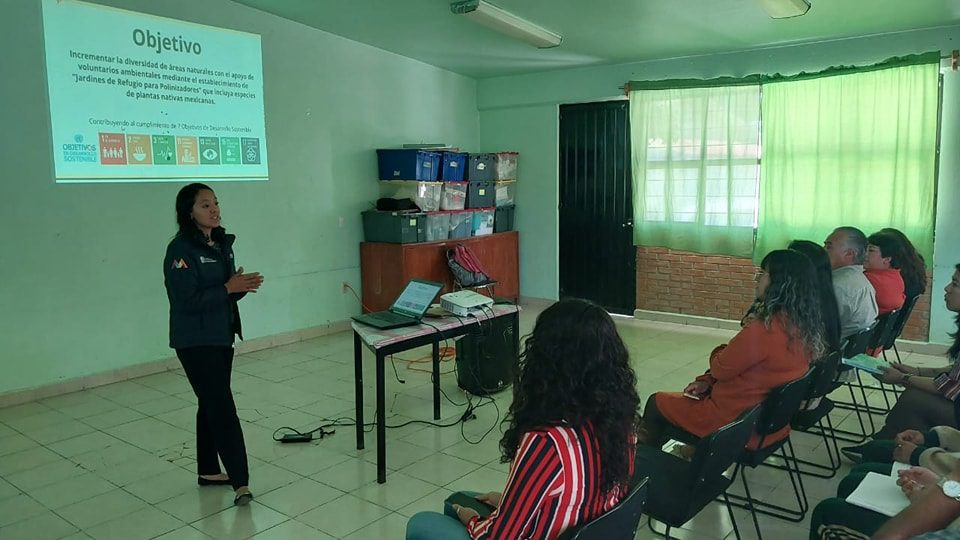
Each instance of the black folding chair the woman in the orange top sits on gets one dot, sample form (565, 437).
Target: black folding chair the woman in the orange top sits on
(776, 413)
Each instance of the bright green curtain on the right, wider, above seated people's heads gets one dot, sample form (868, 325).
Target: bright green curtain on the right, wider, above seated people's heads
(855, 149)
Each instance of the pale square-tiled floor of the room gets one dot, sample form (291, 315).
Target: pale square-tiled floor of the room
(116, 462)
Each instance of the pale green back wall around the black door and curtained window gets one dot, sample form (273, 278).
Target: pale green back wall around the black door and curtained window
(524, 108)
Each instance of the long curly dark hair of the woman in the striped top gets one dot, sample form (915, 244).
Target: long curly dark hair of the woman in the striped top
(575, 369)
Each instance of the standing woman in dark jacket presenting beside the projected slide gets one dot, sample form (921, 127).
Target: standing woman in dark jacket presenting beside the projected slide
(203, 287)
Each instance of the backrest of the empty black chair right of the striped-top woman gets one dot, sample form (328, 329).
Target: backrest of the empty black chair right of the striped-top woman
(719, 450)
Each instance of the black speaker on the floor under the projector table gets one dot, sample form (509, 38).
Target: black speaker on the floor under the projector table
(487, 357)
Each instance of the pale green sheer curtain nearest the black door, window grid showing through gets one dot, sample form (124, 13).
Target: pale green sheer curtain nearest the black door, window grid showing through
(695, 166)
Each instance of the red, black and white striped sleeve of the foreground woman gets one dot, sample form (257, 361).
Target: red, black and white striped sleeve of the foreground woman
(535, 468)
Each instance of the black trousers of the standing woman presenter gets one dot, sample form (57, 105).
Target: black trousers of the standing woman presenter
(218, 427)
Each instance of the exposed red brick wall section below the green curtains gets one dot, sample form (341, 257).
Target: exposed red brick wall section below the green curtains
(717, 286)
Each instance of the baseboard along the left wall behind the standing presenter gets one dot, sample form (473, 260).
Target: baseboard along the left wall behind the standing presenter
(17, 397)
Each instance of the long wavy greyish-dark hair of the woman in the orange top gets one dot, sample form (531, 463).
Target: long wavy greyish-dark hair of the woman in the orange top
(793, 293)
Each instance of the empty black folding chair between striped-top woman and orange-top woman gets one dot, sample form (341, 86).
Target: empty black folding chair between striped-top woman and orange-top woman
(678, 489)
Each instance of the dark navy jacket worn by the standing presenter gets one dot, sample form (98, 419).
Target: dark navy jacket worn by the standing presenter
(201, 311)
